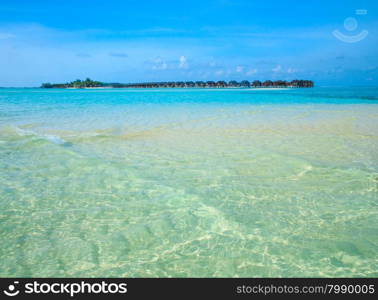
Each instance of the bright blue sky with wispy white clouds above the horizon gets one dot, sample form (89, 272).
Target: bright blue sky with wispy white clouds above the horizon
(133, 41)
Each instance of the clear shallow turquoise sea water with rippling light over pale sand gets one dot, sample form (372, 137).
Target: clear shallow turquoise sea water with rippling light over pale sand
(189, 183)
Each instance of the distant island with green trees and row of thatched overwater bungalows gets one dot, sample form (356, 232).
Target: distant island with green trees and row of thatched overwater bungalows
(88, 83)
